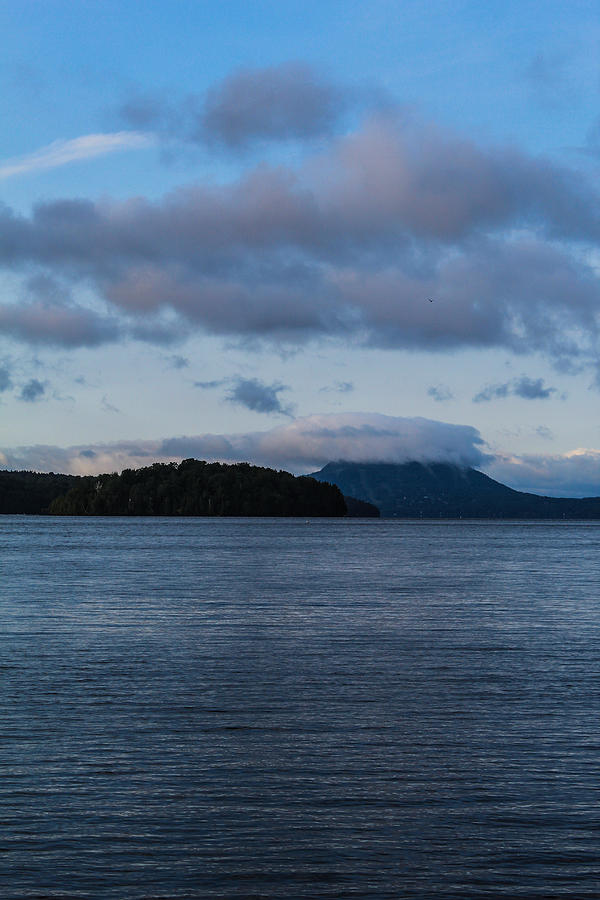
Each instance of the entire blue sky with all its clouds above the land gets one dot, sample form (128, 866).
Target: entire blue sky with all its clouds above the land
(289, 233)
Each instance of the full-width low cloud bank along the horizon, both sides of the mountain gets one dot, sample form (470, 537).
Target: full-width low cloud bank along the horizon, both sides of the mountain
(307, 444)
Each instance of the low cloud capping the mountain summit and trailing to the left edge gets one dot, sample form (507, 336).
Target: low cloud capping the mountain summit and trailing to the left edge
(301, 445)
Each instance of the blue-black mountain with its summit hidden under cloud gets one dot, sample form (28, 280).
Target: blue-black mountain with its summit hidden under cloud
(442, 490)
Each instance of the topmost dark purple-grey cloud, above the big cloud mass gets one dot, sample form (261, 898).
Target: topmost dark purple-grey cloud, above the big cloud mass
(289, 101)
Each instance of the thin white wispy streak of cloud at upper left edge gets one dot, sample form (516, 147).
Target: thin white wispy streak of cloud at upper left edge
(64, 152)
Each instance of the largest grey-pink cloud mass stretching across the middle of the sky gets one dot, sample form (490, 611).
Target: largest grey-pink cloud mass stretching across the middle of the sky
(346, 245)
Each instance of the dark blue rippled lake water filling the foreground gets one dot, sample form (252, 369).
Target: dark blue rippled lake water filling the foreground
(281, 709)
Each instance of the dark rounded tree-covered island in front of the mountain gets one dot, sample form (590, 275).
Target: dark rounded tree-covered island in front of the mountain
(196, 488)
